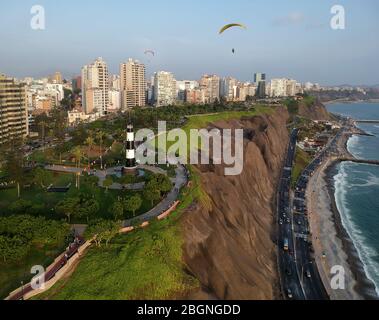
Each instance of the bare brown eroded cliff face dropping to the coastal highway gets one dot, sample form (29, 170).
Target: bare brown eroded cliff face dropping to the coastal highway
(229, 246)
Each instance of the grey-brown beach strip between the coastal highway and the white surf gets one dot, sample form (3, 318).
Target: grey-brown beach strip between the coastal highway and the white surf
(332, 245)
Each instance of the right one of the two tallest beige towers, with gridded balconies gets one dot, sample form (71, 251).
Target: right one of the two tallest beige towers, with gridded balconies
(133, 84)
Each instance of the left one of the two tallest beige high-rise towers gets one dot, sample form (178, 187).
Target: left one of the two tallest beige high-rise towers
(95, 84)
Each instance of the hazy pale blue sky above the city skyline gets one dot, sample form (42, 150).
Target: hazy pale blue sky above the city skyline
(284, 38)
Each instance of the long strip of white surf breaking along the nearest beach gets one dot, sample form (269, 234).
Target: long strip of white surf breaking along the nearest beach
(366, 253)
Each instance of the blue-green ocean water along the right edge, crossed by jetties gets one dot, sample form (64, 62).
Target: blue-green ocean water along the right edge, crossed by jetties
(357, 188)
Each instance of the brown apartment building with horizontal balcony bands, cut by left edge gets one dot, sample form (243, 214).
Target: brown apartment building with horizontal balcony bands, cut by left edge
(13, 110)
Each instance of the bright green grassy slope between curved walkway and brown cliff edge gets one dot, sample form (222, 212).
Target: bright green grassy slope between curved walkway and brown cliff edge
(145, 264)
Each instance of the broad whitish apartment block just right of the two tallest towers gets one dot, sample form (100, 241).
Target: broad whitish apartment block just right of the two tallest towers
(164, 89)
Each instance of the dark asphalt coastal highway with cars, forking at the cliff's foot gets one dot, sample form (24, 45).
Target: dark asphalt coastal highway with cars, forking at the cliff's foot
(300, 279)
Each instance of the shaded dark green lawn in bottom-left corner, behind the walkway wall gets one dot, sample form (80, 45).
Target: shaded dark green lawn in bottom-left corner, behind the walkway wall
(12, 274)
